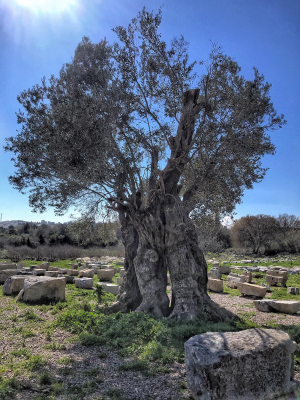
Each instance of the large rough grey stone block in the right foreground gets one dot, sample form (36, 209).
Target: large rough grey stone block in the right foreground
(248, 365)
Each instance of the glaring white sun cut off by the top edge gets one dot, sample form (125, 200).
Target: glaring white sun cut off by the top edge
(47, 6)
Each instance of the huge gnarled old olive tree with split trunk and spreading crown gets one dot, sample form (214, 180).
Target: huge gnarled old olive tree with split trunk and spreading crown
(136, 128)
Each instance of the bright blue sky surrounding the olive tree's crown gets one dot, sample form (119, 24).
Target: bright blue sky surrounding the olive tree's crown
(38, 36)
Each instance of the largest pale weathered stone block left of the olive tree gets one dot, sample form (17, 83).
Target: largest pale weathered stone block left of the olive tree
(43, 289)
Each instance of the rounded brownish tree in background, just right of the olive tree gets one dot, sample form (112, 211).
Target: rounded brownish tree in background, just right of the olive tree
(254, 231)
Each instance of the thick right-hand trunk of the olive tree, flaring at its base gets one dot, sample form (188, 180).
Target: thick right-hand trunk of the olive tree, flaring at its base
(187, 266)
